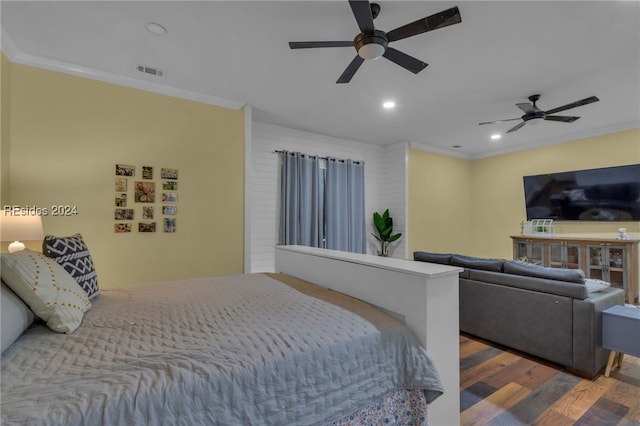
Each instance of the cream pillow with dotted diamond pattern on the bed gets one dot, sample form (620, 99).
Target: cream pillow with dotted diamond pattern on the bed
(49, 290)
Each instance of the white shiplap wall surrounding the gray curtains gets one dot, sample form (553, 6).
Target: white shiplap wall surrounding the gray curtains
(384, 174)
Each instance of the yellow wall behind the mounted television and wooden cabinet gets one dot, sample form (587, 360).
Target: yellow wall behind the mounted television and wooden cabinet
(499, 193)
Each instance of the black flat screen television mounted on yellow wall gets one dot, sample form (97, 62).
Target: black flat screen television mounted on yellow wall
(606, 194)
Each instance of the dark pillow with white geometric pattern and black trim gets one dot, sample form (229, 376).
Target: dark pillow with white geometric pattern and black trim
(72, 253)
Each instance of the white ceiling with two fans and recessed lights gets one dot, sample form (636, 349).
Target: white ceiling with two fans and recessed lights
(501, 53)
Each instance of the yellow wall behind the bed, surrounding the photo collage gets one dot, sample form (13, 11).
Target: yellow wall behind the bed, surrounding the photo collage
(67, 134)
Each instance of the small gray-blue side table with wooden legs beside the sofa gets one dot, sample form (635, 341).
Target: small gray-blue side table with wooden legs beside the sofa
(620, 333)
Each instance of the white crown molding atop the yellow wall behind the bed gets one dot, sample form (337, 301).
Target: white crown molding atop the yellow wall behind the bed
(14, 54)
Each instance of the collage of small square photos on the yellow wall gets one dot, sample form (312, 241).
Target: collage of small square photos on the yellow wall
(136, 196)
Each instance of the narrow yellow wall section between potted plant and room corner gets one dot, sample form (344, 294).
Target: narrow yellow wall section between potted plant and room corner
(439, 202)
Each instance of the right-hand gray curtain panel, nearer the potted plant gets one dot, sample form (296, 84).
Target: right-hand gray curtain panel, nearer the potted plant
(344, 198)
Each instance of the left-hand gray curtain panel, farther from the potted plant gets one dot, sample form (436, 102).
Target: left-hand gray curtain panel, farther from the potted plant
(301, 200)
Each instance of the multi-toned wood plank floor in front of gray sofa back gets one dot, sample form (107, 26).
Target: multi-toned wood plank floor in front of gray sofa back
(499, 386)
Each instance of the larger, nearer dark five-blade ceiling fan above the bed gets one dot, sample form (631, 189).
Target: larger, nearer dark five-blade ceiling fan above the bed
(371, 43)
